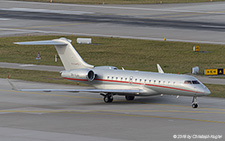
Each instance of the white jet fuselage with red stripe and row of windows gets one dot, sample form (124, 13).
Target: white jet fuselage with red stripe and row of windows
(149, 83)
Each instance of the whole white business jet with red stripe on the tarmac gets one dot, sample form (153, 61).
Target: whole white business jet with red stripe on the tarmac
(110, 81)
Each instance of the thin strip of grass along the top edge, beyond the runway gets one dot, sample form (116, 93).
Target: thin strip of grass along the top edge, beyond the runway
(122, 1)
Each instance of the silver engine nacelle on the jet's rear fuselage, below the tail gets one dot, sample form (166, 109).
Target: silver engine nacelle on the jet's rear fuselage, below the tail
(83, 74)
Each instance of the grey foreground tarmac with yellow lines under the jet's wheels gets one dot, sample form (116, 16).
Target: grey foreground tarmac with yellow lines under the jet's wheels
(84, 116)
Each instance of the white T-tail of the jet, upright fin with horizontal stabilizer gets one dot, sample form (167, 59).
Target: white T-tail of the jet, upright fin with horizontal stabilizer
(69, 56)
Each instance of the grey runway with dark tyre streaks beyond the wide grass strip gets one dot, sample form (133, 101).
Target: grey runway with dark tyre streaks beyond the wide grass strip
(198, 22)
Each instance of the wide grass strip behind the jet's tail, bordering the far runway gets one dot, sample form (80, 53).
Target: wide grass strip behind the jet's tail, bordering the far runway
(174, 57)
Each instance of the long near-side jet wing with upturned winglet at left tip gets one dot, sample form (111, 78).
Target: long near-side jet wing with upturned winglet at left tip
(116, 91)
